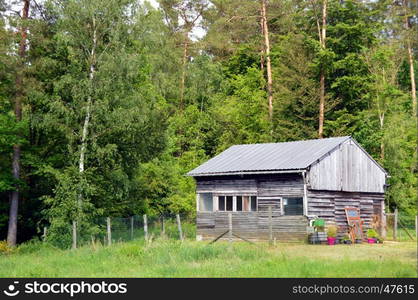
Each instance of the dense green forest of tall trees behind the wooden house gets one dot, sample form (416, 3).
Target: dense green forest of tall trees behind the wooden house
(106, 105)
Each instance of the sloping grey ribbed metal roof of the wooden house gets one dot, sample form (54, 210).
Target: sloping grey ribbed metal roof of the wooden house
(264, 158)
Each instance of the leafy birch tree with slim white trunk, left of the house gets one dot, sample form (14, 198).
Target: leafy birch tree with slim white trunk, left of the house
(102, 106)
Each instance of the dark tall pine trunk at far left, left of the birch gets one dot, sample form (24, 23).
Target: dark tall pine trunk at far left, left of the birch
(14, 201)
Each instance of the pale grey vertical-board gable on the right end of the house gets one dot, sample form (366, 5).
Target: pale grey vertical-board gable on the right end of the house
(348, 168)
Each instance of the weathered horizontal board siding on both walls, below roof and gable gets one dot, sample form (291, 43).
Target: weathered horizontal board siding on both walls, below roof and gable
(269, 189)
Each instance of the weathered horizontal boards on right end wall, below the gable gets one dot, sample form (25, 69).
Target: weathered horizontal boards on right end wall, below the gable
(330, 206)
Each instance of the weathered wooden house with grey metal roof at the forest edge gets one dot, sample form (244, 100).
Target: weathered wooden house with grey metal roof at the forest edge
(300, 181)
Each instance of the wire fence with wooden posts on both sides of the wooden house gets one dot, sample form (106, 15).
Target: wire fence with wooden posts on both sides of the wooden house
(110, 230)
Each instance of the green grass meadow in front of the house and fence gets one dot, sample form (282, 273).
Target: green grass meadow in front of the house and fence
(171, 258)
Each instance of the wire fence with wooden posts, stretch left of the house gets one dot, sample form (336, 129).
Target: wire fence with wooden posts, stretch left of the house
(110, 230)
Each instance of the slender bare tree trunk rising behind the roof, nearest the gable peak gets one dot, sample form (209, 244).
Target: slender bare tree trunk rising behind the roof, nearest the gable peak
(322, 39)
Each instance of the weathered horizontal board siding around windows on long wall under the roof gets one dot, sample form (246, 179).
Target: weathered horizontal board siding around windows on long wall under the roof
(253, 225)
